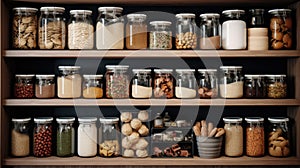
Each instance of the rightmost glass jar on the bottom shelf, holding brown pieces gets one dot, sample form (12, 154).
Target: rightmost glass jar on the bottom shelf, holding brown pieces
(278, 140)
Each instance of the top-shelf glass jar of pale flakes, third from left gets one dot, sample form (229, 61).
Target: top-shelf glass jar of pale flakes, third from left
(81, 30)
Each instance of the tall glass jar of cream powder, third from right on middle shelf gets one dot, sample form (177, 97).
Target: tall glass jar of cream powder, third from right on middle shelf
(231, 82)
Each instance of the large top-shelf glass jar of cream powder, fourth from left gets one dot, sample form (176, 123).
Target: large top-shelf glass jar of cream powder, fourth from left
(110, 28)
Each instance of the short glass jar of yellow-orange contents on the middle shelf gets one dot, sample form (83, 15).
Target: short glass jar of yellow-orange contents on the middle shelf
(92, 86)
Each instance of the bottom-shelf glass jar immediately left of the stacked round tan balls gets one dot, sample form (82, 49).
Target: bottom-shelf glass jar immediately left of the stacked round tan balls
(109, 137)
